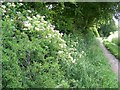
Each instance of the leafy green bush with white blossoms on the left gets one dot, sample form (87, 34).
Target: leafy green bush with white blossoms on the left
(34, 54)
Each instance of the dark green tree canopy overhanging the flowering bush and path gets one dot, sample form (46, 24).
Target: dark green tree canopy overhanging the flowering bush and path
(70, 16)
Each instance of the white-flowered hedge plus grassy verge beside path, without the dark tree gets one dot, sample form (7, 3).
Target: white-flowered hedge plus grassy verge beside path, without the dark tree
(35, 55)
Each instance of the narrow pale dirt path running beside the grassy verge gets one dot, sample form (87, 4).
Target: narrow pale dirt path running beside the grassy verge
(114, 63)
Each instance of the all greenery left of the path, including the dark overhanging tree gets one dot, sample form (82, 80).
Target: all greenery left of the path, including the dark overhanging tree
(37, 54)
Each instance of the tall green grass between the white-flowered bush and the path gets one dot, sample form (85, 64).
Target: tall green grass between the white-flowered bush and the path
(91, 68)
